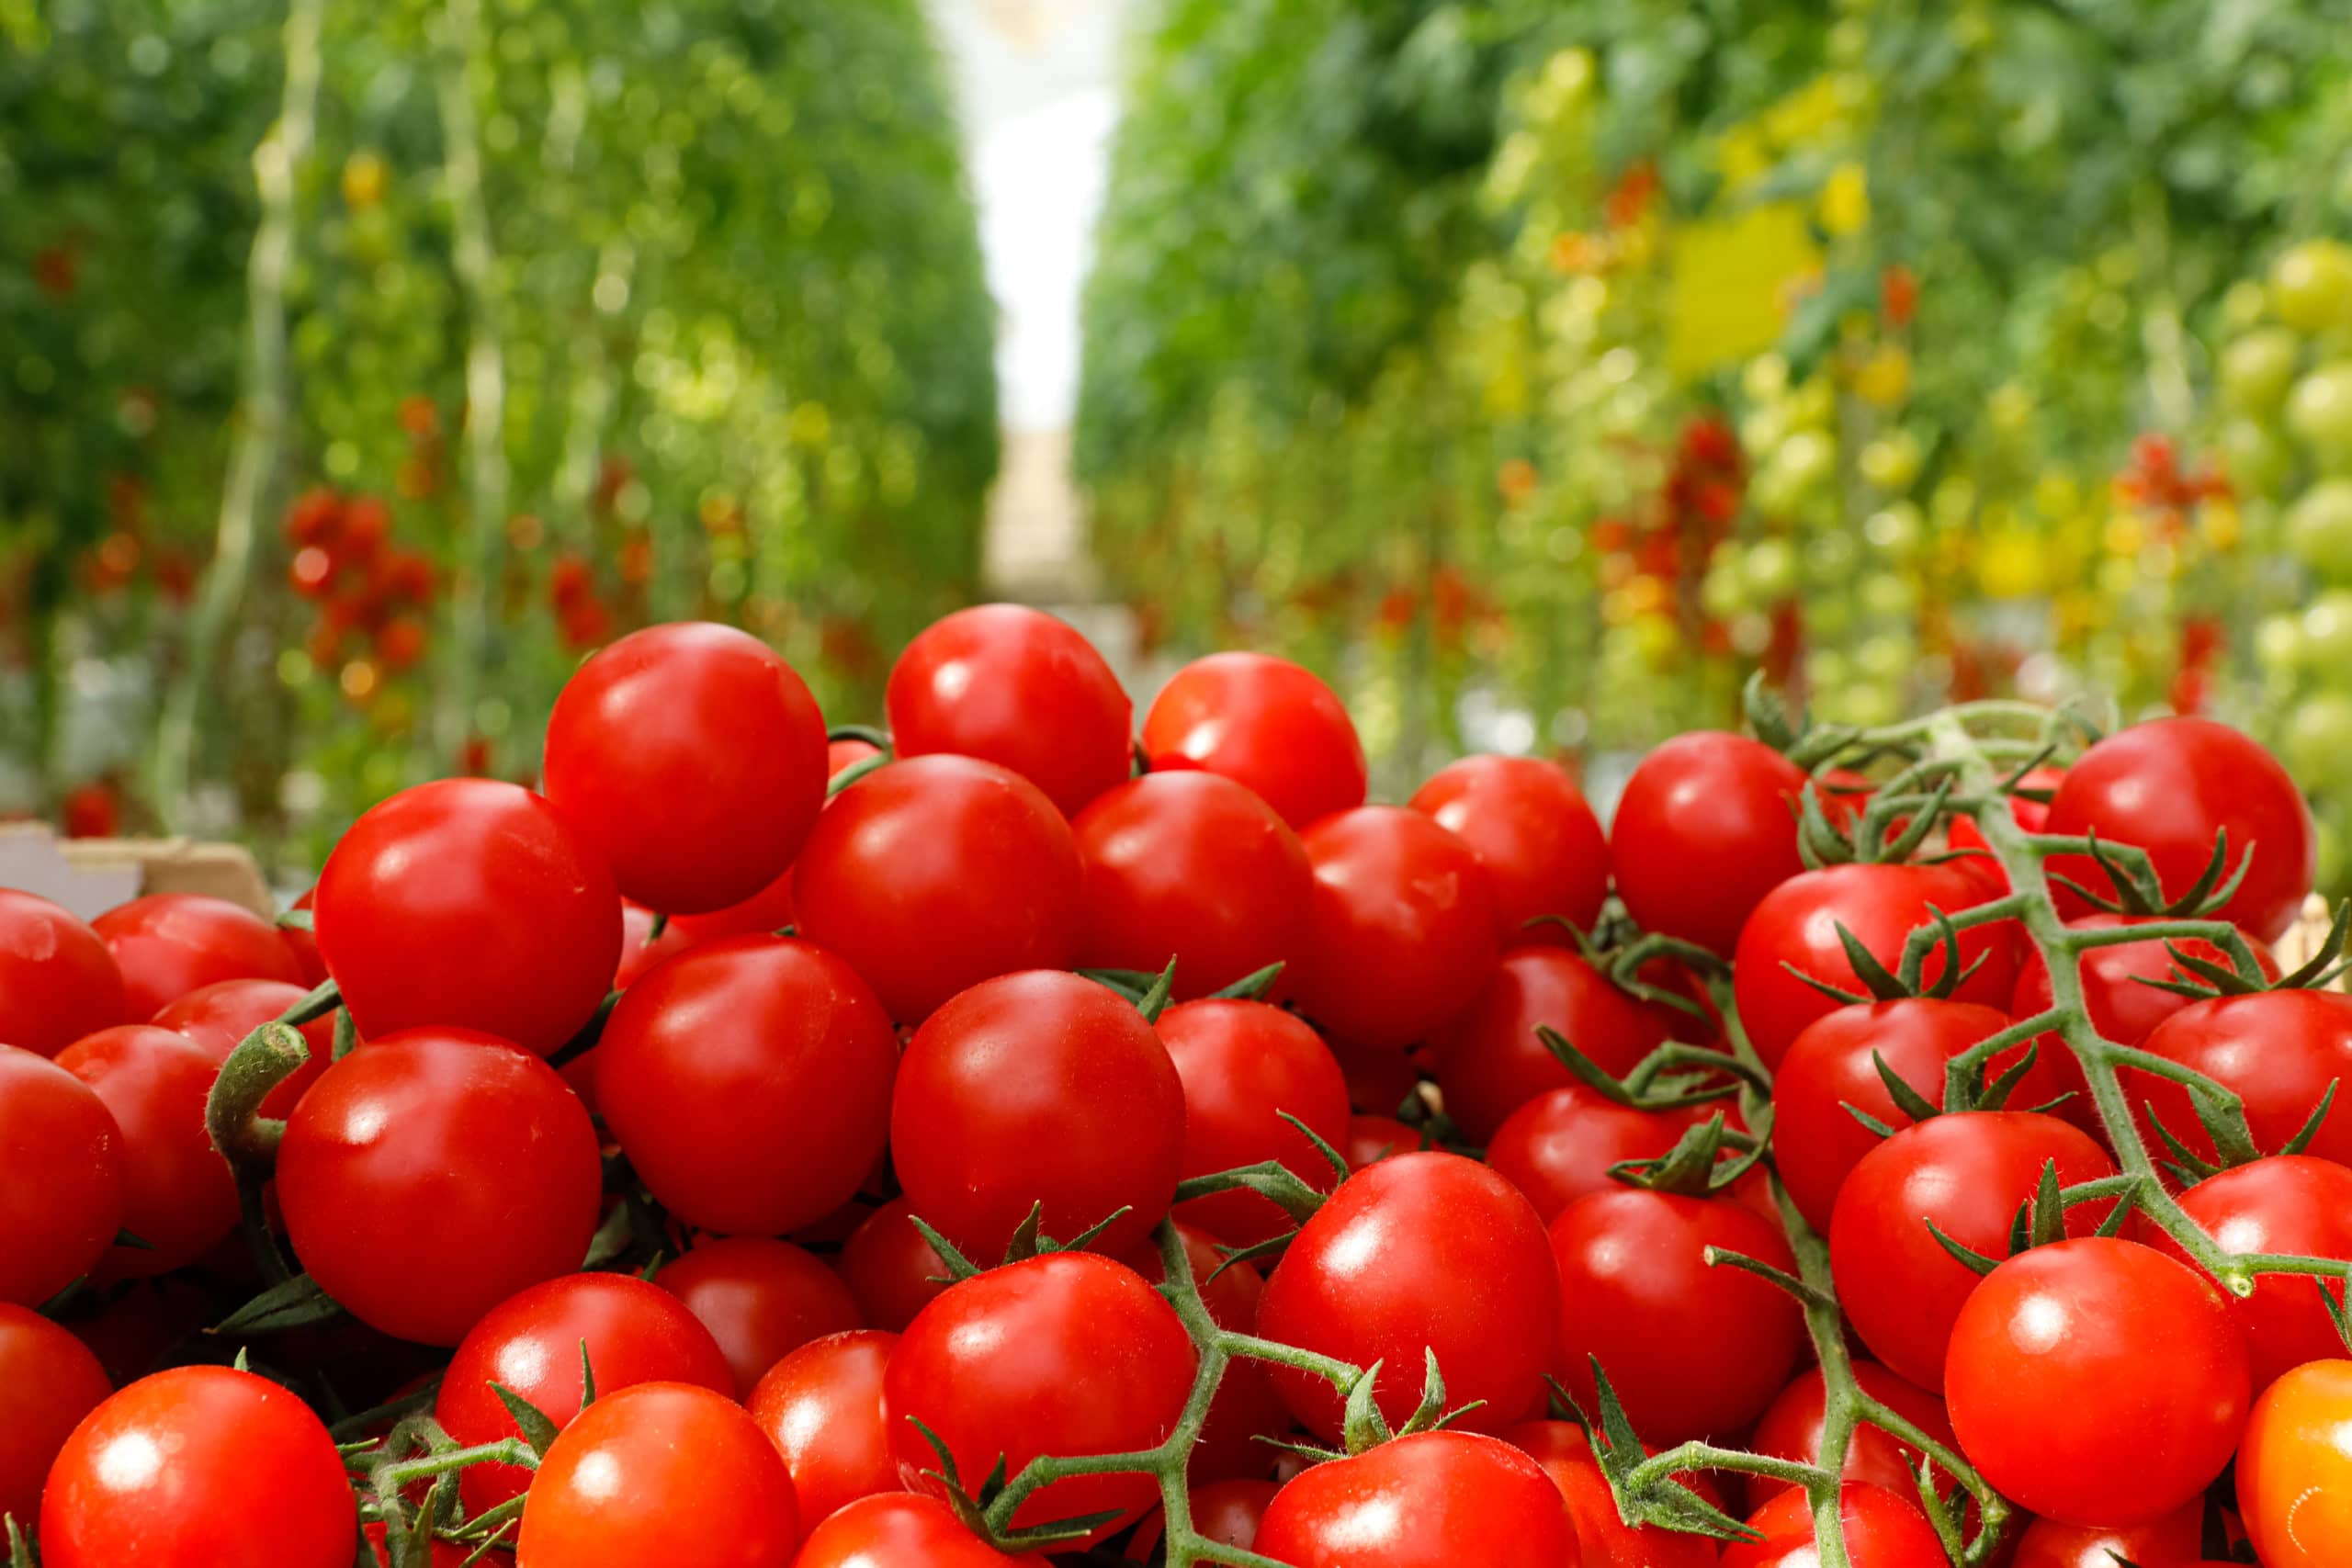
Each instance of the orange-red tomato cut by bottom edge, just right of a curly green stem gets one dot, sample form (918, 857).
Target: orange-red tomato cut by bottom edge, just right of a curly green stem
(664, 1473)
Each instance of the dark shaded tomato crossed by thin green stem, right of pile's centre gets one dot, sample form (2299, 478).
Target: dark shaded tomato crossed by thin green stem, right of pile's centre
(1490, 1061)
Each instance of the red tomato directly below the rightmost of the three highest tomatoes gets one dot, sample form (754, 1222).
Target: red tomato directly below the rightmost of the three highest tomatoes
(1191, 869)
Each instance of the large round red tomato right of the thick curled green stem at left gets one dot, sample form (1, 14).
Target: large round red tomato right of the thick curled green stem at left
(436, 1174)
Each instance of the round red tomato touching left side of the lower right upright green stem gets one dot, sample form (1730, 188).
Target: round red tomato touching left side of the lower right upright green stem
(1692, 1351)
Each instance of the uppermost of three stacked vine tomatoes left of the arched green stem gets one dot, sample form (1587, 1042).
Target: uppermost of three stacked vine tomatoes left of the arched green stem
(1796, 925)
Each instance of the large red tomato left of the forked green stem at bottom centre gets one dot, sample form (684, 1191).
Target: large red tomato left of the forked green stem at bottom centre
(1067, 1355)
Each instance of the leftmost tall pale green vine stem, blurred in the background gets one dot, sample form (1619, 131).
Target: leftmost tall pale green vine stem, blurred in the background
(262, 436)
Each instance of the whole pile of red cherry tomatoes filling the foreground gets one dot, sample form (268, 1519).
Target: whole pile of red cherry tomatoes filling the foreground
(763, 1144)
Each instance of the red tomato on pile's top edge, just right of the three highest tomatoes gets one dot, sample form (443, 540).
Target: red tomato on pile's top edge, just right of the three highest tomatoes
(1532, 831)
